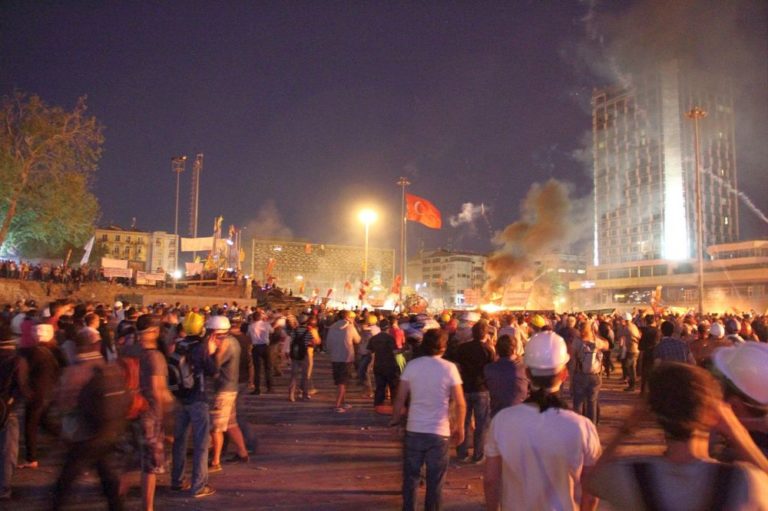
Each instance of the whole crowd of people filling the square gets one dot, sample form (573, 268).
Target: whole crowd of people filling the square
(114, 378)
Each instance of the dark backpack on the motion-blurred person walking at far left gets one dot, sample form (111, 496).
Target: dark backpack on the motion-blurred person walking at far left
(104, 401)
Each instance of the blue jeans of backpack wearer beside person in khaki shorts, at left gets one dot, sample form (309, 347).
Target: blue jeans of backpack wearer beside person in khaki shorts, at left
(196, 415)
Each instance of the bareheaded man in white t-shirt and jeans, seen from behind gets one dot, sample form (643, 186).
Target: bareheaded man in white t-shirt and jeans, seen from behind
(432, 383)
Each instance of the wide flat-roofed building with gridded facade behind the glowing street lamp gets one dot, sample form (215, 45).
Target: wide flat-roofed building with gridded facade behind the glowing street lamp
(304, 267)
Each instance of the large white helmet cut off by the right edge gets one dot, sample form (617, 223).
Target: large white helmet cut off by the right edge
(745, 366)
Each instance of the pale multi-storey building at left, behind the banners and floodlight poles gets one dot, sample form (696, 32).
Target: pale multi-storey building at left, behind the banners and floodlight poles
(144, 251)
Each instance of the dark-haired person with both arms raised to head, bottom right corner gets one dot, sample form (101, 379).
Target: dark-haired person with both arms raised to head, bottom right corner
(688, 405)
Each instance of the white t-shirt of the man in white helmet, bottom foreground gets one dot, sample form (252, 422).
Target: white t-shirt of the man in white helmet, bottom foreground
(542, 455)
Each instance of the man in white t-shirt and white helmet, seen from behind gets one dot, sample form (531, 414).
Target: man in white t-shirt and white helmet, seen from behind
(539, 451)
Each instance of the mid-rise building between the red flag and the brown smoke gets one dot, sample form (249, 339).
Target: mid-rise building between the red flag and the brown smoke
(447, 275)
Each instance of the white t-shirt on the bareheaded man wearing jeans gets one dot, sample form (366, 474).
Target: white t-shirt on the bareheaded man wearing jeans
(431, 380)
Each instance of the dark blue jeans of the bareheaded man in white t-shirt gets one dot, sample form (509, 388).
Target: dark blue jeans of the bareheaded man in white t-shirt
(421, 448)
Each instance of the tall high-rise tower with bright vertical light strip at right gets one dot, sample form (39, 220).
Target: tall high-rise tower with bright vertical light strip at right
(644, 166)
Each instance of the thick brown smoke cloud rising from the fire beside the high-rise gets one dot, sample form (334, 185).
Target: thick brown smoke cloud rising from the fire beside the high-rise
(551, 220)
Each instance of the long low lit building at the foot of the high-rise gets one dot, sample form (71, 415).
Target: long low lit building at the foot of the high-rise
(735, 280)
